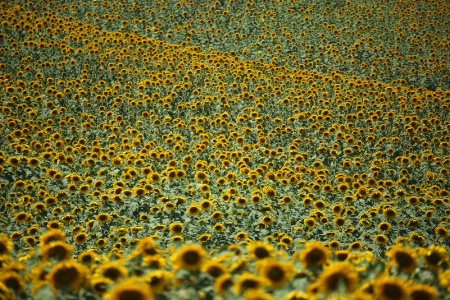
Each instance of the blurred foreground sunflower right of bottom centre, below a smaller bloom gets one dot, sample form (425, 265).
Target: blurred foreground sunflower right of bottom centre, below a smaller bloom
(276, 273)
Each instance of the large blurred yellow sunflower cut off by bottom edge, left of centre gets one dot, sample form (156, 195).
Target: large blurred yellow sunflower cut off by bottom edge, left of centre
(132, 289)
